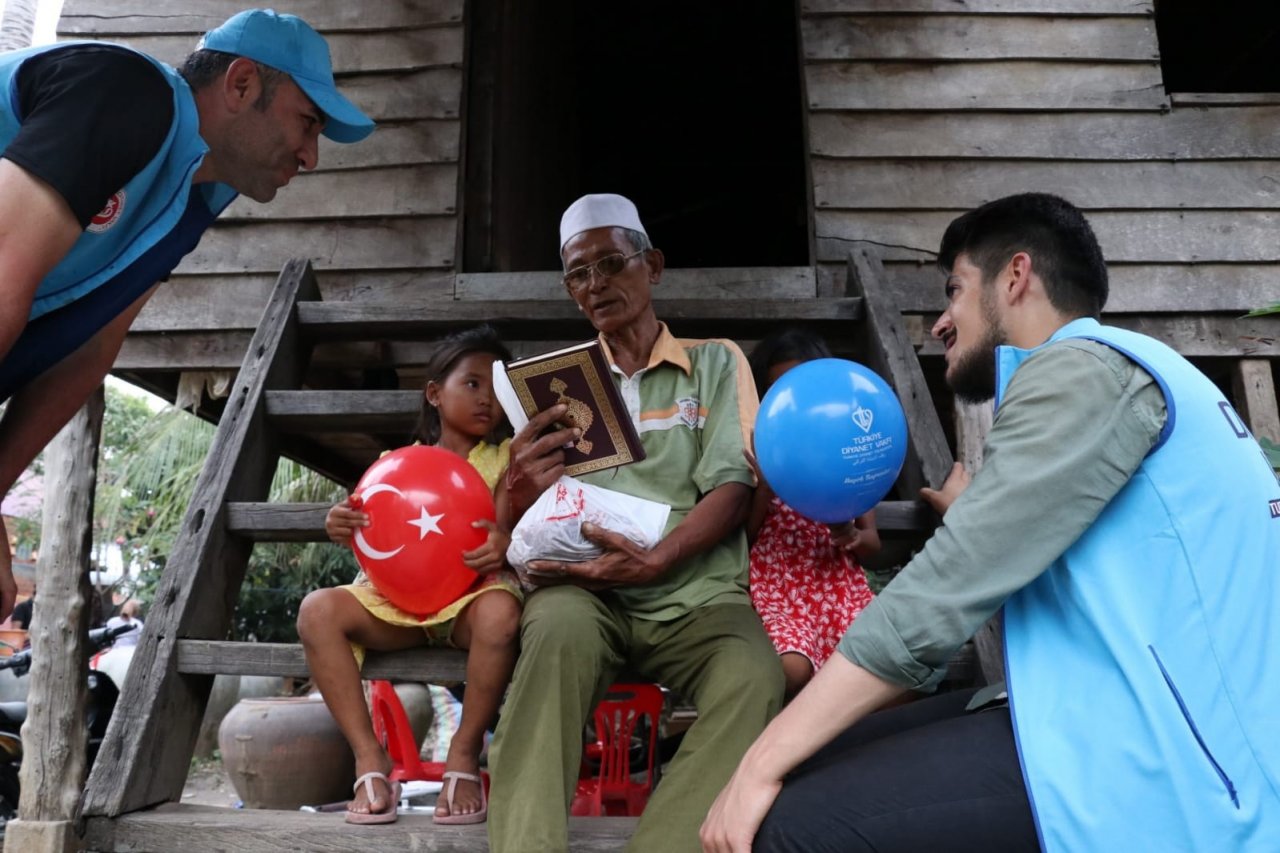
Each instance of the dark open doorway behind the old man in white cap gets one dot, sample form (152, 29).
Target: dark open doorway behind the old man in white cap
(693, 112)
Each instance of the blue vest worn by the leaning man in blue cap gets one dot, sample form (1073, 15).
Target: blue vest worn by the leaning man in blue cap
(143, 215)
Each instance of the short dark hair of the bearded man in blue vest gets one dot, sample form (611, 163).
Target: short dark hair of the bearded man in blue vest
(1052, 230)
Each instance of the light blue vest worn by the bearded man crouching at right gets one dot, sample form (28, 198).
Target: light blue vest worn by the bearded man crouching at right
(1145, 664)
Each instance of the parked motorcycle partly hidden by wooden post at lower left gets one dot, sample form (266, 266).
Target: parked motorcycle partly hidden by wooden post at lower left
(103, 695)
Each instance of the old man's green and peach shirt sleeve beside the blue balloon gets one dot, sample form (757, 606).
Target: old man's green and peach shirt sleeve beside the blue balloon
(730, 403)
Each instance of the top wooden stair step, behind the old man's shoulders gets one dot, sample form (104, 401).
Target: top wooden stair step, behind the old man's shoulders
(561, 320)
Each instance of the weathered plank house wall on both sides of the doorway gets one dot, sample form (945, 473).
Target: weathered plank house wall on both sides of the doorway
(918, 110)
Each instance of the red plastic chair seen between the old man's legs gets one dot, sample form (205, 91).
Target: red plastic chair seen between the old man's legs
(612, 791)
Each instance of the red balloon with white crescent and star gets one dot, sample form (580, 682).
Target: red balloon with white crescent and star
(420, 503)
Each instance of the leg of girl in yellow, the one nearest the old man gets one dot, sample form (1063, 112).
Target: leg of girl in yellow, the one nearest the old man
(490, 628)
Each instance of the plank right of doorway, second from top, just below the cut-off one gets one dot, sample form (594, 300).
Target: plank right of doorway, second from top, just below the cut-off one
(970, 38)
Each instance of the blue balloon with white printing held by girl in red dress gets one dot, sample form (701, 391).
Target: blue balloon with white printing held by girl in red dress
(831, 439)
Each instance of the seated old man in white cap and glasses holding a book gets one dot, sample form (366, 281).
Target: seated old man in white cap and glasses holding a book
(678, 614)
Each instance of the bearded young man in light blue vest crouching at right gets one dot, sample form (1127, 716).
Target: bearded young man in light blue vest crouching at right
(1130, 527)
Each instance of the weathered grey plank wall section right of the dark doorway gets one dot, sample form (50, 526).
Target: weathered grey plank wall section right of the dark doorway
(921, 110)
